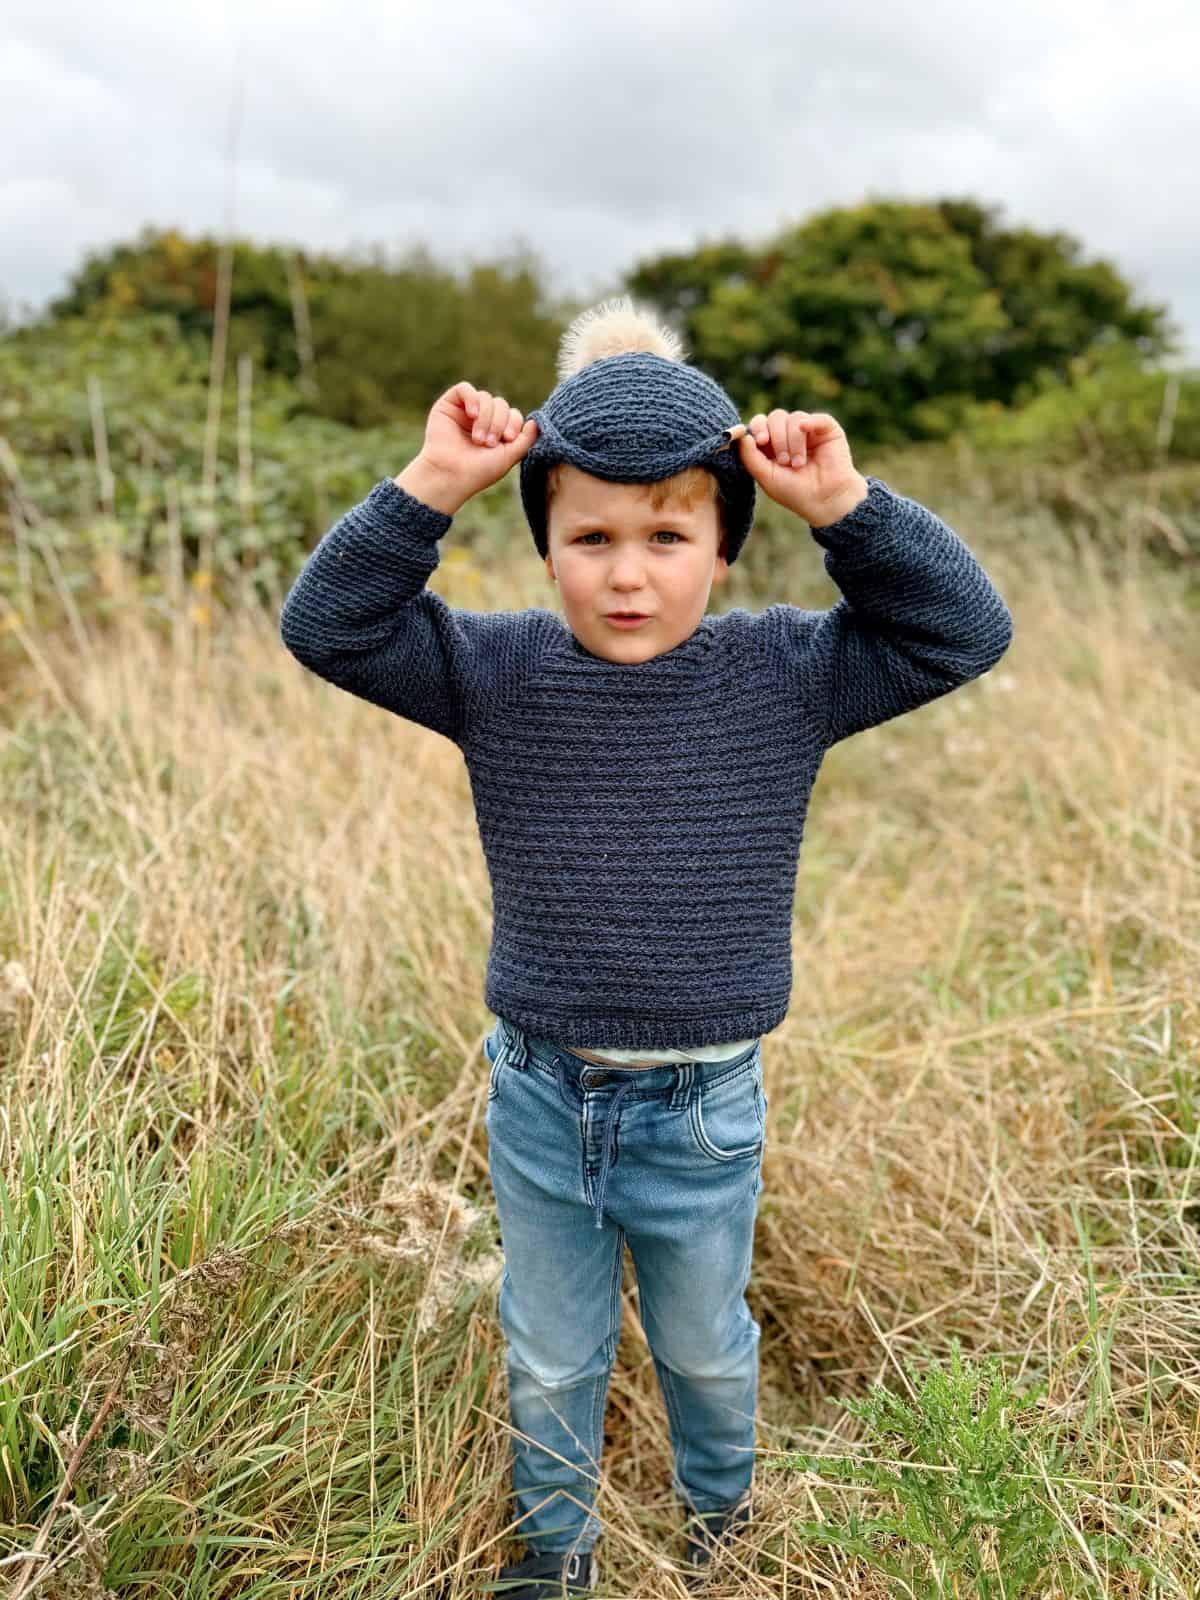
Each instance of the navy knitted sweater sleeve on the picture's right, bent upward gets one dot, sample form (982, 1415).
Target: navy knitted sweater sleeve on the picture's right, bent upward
(918, 618)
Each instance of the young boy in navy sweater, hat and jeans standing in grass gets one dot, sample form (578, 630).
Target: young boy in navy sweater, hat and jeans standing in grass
(641, 791)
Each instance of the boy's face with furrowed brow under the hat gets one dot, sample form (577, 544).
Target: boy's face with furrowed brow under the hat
(610, 551)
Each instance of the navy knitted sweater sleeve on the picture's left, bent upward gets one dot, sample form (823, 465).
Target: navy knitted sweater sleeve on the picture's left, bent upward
(359, 615)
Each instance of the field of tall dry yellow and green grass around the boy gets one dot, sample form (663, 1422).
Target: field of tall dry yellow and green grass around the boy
(249, 1254)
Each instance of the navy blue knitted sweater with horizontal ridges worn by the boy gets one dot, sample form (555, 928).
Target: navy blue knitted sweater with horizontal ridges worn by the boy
(642, 822)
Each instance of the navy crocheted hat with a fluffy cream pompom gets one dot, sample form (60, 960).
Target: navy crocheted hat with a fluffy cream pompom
(631, 410)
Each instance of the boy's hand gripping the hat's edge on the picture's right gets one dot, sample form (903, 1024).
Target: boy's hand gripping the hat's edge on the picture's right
(802, 462)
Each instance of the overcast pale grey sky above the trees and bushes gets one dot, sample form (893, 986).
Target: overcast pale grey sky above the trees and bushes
(598, 134)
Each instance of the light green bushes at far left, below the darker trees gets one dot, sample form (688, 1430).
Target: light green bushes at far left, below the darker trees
(103, 428)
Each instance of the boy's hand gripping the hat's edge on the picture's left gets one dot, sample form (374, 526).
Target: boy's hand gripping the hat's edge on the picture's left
(457, 455)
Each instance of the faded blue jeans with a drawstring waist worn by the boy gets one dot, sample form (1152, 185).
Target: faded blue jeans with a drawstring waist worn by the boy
(585, 1158)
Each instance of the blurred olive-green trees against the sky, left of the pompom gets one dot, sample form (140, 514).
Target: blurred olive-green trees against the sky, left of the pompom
(370, 340)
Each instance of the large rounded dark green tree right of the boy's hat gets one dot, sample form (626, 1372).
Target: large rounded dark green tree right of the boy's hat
(895, 316)
